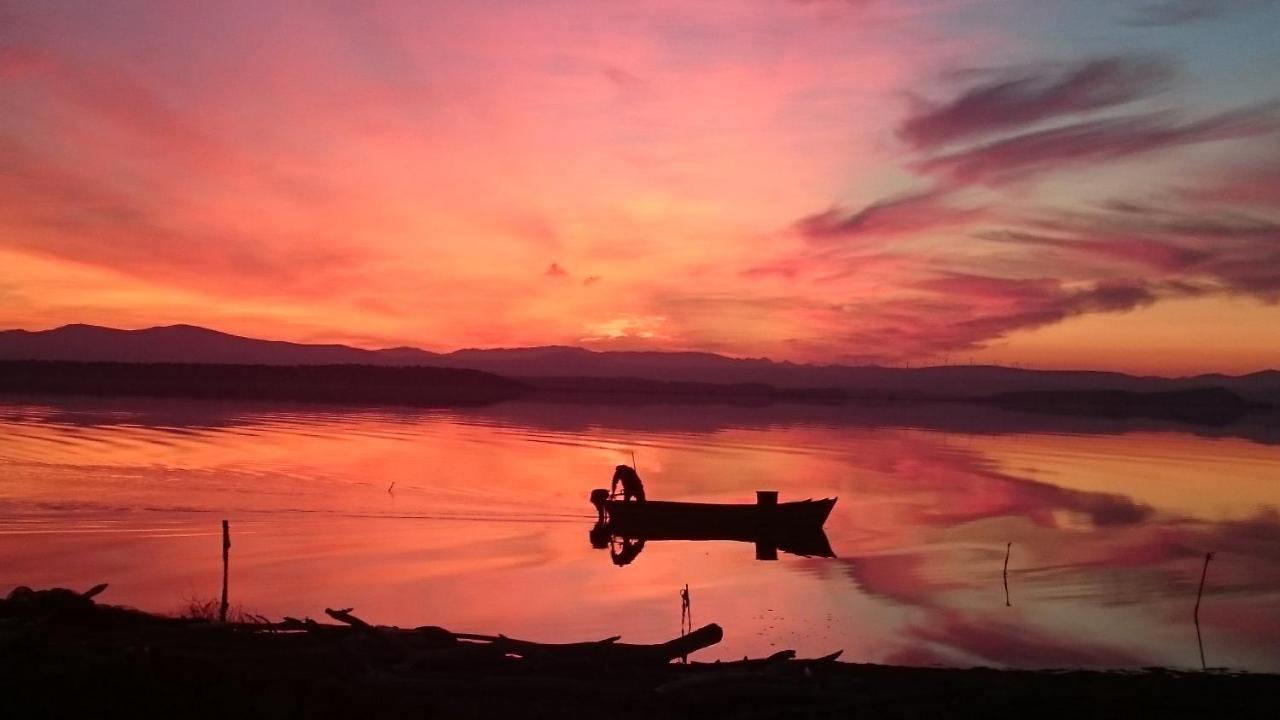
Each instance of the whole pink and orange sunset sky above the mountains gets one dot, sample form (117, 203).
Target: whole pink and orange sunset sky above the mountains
(1086, 184)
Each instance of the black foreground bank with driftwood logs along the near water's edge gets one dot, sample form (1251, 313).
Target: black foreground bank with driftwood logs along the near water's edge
(62, 655)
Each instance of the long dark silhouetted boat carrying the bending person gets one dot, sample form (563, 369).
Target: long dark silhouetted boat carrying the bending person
(668, 518)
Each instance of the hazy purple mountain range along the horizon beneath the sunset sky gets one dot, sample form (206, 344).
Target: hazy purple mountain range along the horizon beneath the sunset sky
(540, 366)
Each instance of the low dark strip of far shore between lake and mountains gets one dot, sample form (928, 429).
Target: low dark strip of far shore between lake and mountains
(431, 386)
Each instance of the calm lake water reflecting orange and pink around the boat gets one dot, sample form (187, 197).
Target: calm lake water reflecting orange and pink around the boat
(487, 526)
